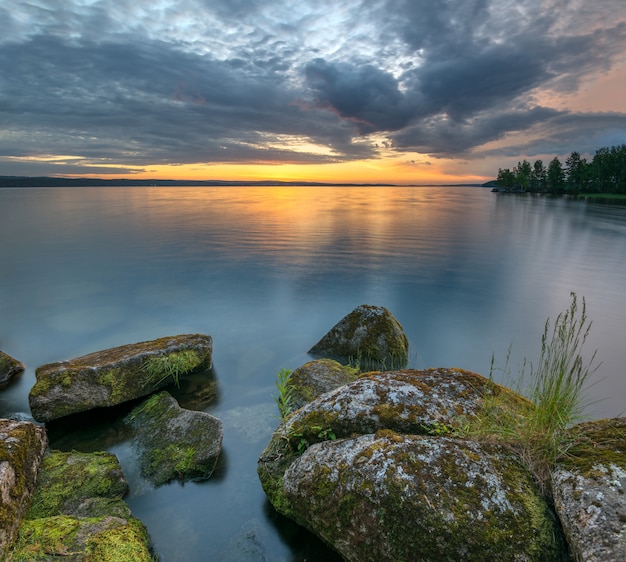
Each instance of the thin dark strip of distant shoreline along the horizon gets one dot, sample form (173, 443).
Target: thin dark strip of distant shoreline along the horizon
(47, 181)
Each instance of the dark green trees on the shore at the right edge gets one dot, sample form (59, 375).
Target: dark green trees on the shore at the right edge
(605, 173)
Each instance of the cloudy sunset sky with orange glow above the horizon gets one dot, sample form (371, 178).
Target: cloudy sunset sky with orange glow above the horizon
(398, 91)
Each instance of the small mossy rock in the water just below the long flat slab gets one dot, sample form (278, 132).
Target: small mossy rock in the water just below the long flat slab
(174, 443)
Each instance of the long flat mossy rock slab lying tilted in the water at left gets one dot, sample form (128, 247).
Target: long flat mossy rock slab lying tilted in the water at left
(116, 375)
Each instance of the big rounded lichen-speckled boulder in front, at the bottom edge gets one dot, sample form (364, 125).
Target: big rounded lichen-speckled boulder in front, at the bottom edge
(394, 497)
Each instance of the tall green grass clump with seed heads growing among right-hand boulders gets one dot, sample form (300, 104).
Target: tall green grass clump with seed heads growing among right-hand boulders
(539, 429)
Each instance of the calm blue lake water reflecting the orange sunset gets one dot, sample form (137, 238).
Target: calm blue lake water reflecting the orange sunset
(266, 271)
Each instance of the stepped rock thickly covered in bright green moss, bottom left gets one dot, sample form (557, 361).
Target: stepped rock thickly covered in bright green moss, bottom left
(78, 513)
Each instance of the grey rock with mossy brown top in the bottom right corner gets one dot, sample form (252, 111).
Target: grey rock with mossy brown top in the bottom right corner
(589, 490)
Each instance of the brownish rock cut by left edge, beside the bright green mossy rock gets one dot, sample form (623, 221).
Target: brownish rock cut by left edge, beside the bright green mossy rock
(22, 446)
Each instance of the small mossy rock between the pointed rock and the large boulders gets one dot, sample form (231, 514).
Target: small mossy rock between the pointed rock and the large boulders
(316, 378)
